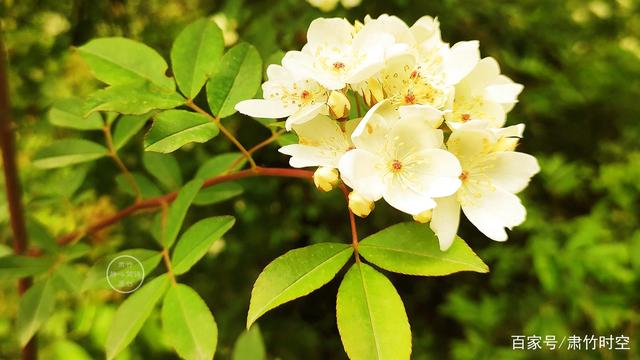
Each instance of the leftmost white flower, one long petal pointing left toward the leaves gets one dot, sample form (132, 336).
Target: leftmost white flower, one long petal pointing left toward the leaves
(287, 94)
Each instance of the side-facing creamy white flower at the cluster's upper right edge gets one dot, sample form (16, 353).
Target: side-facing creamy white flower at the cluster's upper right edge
(484, 94)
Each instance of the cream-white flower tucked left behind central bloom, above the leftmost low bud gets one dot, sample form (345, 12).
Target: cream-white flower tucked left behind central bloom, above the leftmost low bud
(322, 142)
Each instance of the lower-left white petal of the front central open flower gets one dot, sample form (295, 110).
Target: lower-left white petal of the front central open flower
(363, 172)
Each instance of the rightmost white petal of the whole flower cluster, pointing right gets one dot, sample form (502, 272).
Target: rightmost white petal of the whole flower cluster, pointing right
(512, 171)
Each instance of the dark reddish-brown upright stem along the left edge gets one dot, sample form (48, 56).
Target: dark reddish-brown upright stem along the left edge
(12, 185)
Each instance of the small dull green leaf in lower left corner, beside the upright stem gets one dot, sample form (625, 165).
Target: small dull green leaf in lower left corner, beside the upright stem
(36, 306)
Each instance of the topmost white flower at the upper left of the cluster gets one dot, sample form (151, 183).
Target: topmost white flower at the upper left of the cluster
(336, 55)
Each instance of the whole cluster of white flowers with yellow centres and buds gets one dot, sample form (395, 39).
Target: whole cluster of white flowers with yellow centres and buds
(432, 140)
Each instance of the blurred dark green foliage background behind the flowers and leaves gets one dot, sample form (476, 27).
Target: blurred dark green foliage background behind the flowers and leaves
(572, 268)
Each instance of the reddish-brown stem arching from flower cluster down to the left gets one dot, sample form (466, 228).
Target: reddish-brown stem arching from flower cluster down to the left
(167, 198)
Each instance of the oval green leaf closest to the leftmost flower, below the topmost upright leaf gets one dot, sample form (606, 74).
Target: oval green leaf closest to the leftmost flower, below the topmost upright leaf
(236, 78)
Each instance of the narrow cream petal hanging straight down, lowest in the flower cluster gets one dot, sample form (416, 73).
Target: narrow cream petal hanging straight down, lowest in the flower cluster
(445, 220)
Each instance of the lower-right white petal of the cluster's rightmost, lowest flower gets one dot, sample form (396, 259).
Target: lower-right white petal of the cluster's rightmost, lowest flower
(494, 210)
